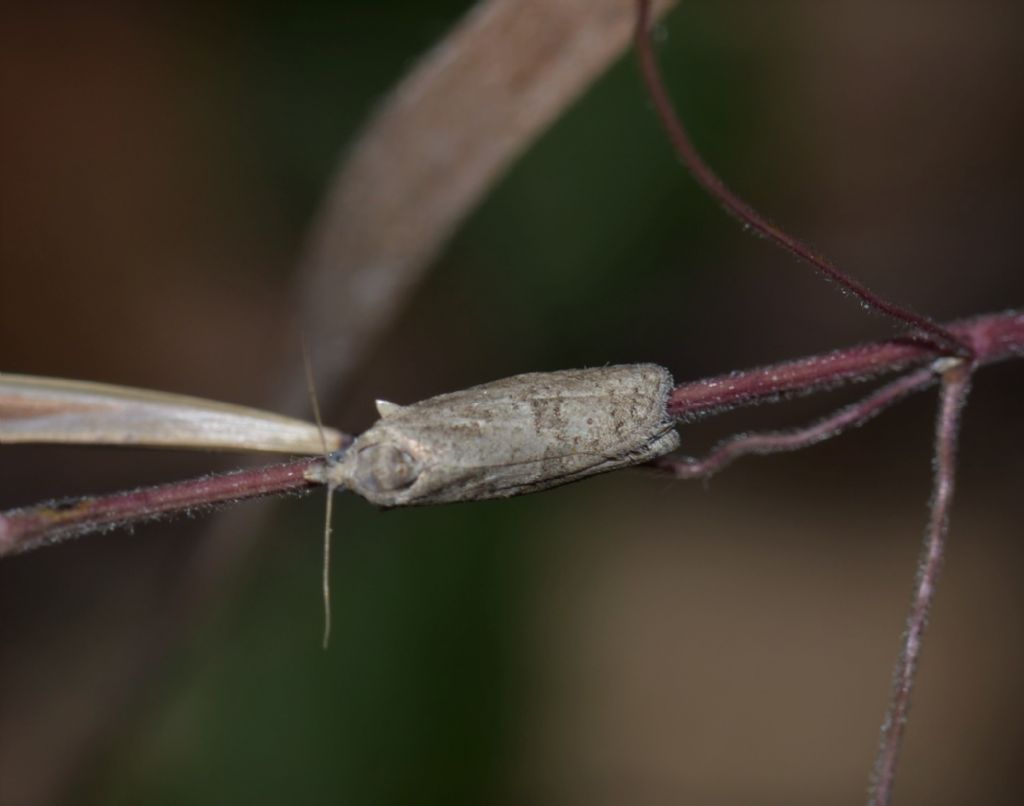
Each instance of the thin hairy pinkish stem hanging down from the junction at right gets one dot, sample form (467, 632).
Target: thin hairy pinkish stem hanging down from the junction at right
(956, 385)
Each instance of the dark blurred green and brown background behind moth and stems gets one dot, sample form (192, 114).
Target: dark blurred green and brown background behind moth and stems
(626, 641)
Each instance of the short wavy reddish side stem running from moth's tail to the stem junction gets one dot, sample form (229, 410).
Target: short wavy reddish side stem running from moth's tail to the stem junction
(851, 416)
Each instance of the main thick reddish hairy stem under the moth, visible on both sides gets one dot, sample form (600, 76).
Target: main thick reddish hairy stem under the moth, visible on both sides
(995, 337)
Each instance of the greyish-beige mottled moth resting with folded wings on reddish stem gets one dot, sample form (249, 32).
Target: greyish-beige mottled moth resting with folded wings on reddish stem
(508, 438)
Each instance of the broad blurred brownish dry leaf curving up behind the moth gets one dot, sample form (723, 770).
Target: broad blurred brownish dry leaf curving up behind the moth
(434, 150)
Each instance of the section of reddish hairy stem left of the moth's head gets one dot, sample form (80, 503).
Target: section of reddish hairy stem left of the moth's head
(29, 528)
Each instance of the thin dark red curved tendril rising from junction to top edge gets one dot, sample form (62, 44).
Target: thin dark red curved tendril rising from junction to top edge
(942, 340)
